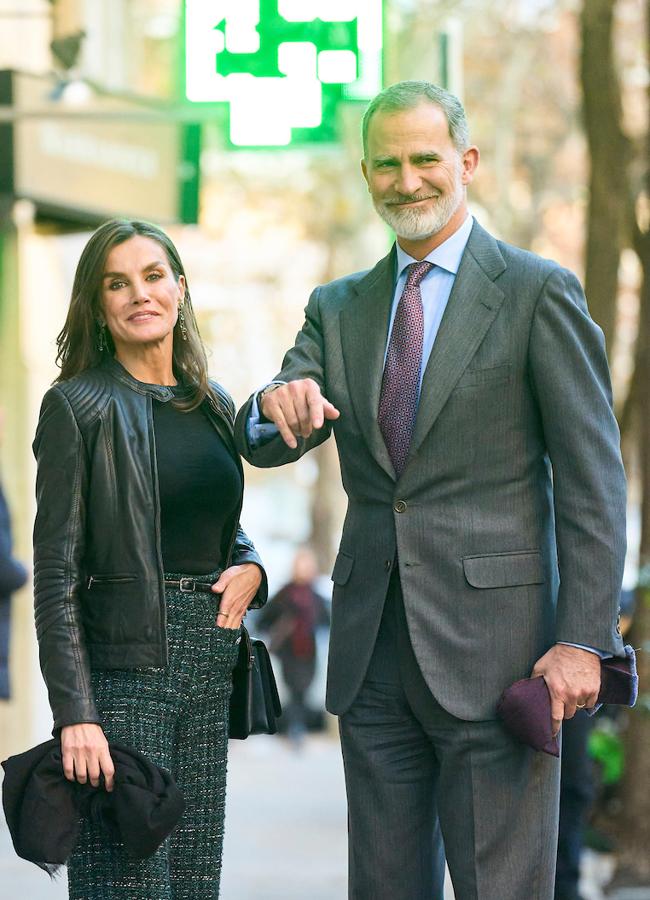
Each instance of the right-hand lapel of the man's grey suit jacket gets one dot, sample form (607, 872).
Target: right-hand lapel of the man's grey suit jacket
(472, 307)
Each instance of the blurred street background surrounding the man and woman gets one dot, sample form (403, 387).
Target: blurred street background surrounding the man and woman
(119, 109)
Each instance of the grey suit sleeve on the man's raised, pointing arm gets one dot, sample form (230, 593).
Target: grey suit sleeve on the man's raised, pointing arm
(306, 359)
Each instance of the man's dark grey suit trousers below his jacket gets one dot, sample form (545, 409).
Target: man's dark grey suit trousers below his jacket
(408, 761)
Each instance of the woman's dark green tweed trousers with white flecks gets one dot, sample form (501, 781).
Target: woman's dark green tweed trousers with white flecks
(177, 717)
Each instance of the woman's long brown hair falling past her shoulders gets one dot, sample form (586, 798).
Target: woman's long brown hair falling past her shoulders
(78, 341)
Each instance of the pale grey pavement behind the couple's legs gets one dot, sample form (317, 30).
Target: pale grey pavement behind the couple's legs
(285, 831)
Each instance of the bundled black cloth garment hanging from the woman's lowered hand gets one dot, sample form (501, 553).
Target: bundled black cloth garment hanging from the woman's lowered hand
(43, 808)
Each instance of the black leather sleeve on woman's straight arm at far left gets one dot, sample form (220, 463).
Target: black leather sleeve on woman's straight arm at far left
(59, 528)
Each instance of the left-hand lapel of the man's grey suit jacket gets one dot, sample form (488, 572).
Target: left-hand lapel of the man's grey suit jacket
(364, 326)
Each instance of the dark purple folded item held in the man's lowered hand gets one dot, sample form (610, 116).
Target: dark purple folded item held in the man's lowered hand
(525, 707)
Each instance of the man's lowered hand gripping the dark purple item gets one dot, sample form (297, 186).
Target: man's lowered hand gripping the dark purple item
(572, 676)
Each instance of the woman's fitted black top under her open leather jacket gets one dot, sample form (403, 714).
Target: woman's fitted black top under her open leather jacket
(200, 488)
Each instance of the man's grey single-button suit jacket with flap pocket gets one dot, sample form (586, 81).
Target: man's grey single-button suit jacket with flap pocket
(508, 522)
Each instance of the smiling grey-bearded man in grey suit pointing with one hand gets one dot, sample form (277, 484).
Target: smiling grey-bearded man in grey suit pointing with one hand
(468, 391)
